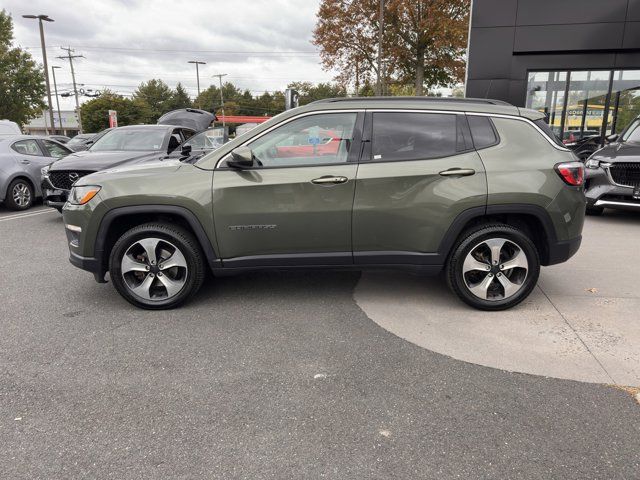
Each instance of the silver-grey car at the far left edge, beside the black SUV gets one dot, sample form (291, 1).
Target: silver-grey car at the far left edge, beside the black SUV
(21, 159)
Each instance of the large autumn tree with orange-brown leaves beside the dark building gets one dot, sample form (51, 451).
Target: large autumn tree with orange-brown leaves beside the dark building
(424, 41)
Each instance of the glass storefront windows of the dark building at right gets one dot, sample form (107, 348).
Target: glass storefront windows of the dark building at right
(577, 102)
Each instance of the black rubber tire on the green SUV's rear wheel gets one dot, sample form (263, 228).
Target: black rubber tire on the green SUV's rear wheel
(524, 279)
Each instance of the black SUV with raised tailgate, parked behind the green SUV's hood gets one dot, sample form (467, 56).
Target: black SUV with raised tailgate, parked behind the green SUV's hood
(122, 146)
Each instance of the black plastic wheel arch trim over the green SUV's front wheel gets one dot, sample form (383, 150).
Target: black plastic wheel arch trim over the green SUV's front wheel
(117, 221)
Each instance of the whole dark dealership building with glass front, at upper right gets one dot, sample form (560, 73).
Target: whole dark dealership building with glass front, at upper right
(576, 60)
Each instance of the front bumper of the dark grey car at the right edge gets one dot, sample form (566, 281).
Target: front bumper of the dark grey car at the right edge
(602, 192)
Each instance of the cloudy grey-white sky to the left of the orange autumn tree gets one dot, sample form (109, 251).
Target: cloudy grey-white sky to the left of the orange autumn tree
(261, 45)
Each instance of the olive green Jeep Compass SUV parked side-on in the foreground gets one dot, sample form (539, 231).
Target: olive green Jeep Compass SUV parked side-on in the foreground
(479, 189)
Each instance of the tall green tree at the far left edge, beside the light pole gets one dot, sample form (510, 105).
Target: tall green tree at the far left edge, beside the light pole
(22, 87)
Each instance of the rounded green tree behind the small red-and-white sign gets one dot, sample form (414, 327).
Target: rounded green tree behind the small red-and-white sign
(95, 112)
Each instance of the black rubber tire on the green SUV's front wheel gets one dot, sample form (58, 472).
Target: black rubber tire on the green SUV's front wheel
(190, 277)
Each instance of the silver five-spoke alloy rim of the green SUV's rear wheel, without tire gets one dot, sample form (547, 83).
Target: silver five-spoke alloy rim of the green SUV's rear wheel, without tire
(495, 269)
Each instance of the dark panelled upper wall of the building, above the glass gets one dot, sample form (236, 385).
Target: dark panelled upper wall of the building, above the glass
(510, 37)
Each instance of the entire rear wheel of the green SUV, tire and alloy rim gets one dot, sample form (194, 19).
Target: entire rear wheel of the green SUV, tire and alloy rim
(495, 267)
